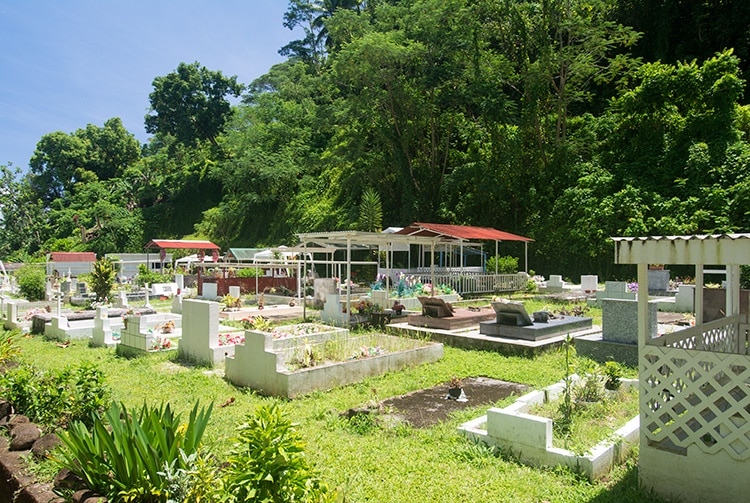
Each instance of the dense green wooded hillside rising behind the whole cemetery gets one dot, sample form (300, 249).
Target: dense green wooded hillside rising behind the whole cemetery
(568, 121)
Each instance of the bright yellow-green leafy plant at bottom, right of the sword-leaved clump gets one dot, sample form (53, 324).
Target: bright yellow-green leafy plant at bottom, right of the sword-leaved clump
(268, 463)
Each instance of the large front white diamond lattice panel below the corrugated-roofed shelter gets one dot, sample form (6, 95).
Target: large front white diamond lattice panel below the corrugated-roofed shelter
(697, 398)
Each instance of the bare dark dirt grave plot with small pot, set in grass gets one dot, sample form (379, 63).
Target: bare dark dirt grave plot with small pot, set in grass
(426, 407)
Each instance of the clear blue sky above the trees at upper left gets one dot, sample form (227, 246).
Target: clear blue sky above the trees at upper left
(68, 63)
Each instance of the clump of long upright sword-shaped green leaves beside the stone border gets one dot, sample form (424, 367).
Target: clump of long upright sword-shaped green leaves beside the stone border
(124, 454)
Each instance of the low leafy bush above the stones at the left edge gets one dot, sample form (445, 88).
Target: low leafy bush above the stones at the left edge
(56, 398)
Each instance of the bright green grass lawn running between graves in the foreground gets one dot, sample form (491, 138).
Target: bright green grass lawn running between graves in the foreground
(381, 464)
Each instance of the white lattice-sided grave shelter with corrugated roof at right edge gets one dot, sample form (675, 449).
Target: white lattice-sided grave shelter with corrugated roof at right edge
(695, 383)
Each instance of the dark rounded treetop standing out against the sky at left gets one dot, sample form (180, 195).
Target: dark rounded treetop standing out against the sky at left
(191, 103)
